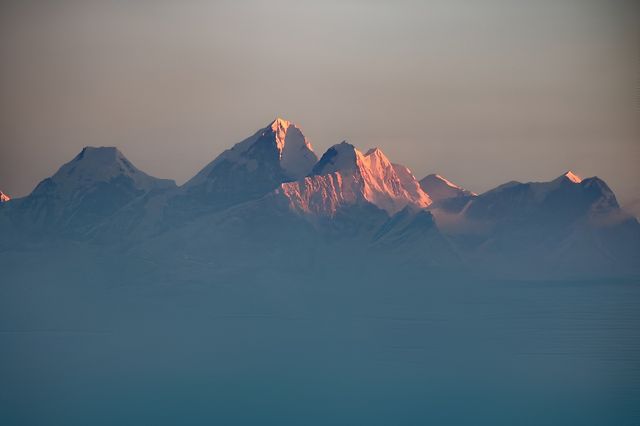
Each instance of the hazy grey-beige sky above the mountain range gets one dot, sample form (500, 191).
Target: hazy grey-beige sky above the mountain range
(481, 92)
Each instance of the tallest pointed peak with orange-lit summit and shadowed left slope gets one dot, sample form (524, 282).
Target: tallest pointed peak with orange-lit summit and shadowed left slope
(275, 154)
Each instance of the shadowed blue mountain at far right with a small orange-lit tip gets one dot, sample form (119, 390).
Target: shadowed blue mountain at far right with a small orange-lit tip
(567, 224)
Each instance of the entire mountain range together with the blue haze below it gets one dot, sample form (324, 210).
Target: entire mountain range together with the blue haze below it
(276, 278)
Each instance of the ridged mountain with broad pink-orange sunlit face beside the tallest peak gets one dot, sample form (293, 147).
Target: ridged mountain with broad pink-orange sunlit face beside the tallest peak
(344, 176)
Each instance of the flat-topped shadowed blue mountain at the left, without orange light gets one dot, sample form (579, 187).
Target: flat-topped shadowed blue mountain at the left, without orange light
(84, 191)
